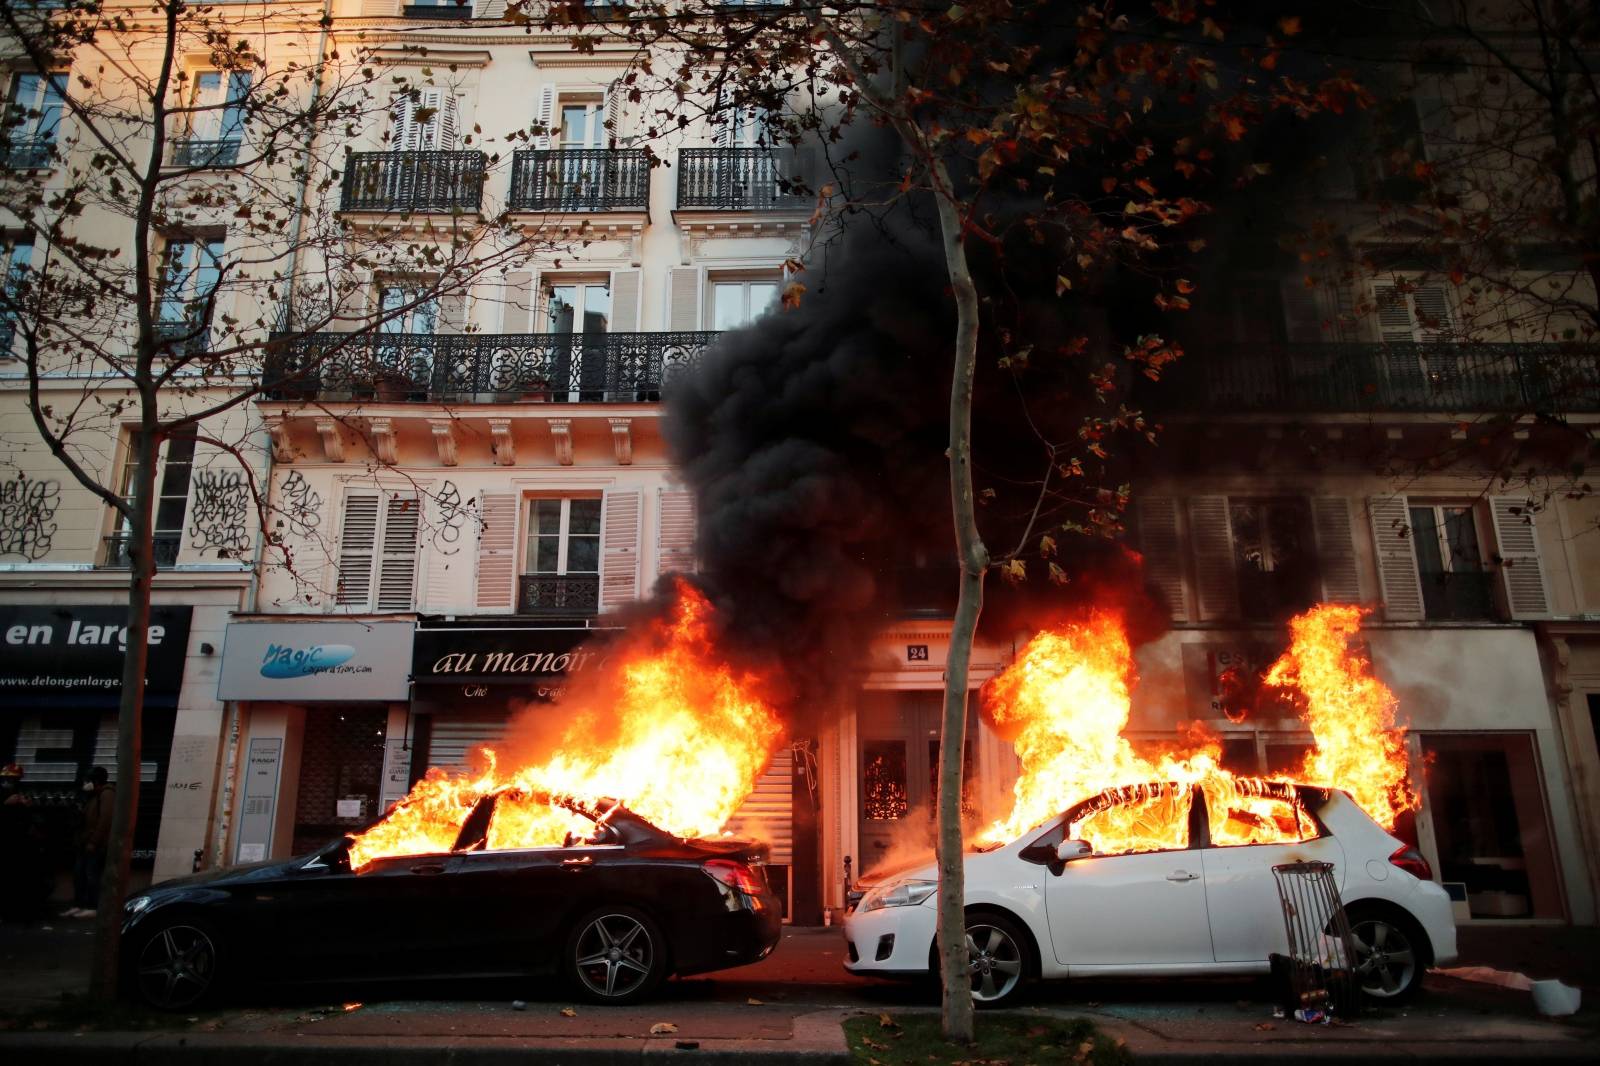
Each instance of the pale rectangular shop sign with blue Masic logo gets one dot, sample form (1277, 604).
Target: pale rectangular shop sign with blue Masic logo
(308, 662)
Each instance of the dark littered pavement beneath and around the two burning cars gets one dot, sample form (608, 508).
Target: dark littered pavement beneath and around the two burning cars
(791, 1008)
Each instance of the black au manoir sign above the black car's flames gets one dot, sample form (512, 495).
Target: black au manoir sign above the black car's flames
(479, 657)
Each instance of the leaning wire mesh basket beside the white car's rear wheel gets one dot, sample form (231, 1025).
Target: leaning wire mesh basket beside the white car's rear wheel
(1319, 972)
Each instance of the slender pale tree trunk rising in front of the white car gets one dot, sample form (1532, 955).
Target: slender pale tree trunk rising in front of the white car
(954, 963)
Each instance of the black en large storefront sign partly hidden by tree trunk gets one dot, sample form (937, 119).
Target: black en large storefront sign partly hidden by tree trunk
(74, 655)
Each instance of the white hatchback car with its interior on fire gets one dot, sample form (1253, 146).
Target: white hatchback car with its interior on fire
(1194, 897)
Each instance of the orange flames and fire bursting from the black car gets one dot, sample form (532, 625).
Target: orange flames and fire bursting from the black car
(681, 742)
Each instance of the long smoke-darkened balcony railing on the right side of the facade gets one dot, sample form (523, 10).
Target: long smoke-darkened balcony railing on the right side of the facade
(1348, 379)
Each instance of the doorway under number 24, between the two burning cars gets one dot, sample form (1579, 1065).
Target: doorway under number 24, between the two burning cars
(898, 777)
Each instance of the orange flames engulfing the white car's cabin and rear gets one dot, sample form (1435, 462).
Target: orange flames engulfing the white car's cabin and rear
(1068, 699)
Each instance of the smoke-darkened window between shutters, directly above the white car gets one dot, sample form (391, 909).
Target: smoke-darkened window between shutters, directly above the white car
(1276, 556)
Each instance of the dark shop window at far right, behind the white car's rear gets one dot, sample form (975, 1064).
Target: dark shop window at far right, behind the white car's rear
(1487, 803)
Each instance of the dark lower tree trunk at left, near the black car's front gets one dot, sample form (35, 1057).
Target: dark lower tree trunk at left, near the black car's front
(119, 851)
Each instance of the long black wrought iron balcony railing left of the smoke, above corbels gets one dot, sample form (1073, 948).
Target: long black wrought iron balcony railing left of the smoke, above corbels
(481, 367)
